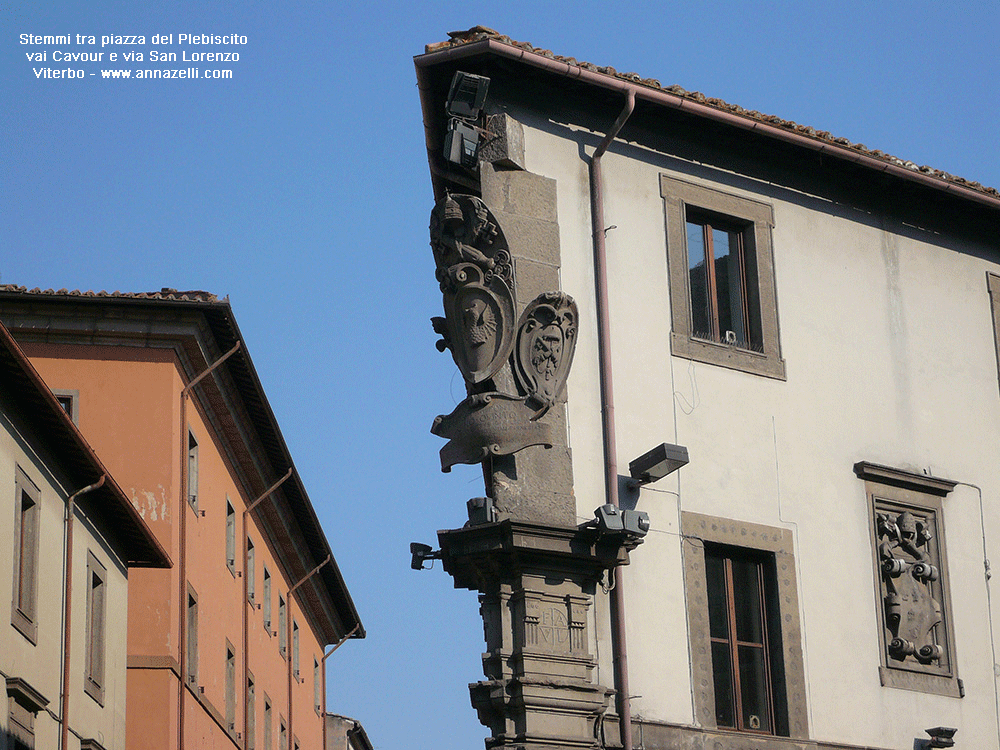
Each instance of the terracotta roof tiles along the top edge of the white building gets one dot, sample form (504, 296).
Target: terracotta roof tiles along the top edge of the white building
(483, 33)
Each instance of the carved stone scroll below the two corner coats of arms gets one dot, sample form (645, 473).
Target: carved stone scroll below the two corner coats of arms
(487, 424)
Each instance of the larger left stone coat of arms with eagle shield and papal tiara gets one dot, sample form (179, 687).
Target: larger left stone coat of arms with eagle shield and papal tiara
(476, 278)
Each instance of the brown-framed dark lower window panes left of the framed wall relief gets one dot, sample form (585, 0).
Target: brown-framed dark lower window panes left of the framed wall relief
(741, 612)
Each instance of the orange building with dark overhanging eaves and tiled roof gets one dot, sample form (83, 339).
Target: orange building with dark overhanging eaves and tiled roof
(227, 648)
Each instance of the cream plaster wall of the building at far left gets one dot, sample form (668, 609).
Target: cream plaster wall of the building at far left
(41, 664)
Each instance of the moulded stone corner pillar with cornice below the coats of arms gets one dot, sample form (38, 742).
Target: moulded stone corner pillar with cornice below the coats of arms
(536, 584)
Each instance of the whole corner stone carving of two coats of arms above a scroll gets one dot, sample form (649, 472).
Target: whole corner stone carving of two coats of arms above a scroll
(474, 269)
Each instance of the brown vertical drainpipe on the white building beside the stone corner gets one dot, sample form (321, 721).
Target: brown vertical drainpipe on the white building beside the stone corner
(608, 408)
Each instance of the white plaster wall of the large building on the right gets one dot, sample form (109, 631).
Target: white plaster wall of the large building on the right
(888, 341)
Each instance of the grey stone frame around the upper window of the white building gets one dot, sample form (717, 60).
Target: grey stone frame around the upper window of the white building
(758, 219)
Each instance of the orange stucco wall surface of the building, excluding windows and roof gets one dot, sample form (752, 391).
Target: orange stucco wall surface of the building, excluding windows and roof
(129, 410)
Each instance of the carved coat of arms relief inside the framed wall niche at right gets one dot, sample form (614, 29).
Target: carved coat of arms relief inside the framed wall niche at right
(912, 611)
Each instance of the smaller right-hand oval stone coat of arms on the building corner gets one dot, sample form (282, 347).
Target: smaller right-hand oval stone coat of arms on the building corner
(546, 341)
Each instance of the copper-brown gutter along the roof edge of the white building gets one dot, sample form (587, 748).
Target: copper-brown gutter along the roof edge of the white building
(675, 101)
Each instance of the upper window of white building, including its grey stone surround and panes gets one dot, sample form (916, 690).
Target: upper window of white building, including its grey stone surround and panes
(722, 288)
